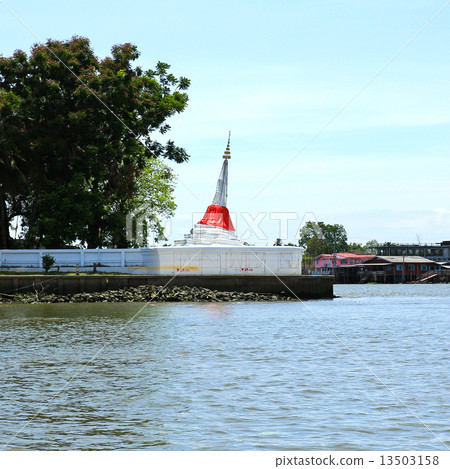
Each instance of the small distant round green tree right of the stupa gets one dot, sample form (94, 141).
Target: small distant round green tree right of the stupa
(320, 238)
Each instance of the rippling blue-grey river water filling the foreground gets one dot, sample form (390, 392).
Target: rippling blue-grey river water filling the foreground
(366, 371)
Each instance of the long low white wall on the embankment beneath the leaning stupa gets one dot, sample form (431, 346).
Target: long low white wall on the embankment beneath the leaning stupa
(182, 260)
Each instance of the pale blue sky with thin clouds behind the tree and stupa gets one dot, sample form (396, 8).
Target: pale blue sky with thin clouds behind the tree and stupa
(338, 111)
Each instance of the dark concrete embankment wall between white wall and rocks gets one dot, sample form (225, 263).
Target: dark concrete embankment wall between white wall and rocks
(301, 286)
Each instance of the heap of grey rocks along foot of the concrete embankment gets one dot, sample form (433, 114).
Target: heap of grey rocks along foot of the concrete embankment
(145, 294)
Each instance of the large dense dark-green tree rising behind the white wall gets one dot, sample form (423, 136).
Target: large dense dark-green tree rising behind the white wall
(83, 127)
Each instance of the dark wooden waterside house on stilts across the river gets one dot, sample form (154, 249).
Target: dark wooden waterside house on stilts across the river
(394, 269)
